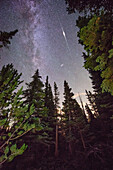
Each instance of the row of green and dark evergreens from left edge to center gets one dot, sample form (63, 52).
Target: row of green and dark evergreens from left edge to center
(34, 113)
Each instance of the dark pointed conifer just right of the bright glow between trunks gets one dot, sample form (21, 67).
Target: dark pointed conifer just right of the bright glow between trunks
(74, 121)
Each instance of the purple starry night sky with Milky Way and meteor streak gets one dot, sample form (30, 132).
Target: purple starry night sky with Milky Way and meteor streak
(46, 40)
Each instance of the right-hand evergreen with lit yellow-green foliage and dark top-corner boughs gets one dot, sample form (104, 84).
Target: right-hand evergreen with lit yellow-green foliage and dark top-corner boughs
(96, 36)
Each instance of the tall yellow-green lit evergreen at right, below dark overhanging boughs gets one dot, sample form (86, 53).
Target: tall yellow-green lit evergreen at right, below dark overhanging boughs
(98, 62)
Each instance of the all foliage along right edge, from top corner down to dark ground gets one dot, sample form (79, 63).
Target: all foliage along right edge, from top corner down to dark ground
(95, 34)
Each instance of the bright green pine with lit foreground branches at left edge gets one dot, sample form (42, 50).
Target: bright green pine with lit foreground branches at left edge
(14, 117)
